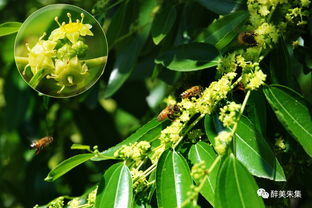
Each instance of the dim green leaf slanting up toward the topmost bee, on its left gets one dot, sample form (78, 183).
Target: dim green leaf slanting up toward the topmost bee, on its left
(221, 32)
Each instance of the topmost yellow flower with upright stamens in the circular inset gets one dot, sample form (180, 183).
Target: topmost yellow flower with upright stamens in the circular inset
(72, 30)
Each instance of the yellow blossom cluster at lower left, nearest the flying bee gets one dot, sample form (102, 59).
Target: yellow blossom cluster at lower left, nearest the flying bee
(135, 152)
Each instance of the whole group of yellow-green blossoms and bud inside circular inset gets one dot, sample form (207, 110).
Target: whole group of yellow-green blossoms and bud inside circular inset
(58, 57)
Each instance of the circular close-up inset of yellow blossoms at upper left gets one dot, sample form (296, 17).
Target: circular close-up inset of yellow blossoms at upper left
(61, 50)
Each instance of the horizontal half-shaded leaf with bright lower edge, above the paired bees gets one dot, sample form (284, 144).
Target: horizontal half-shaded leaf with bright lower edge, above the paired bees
(189, 57)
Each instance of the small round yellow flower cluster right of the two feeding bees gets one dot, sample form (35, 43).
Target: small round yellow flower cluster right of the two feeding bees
(229, 114)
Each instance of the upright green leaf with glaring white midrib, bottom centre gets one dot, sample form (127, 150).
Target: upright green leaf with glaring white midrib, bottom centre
(173, 180)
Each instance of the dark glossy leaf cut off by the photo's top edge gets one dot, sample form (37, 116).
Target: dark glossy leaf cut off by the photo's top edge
(221, 6)
